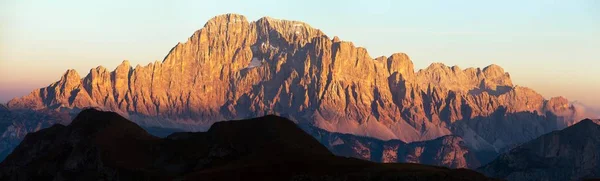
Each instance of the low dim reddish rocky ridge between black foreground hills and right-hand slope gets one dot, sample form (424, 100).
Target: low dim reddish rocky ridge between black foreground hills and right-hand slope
(447, 151)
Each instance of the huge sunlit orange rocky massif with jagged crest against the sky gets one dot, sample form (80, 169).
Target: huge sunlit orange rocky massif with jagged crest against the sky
(232, 69)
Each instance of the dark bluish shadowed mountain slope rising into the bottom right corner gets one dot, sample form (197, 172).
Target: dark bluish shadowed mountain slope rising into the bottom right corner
(569, 154)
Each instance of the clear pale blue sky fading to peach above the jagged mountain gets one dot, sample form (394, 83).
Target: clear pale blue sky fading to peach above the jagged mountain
(550, 46)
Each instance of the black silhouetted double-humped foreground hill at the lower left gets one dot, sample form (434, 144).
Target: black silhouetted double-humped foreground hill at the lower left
(103, 145)
